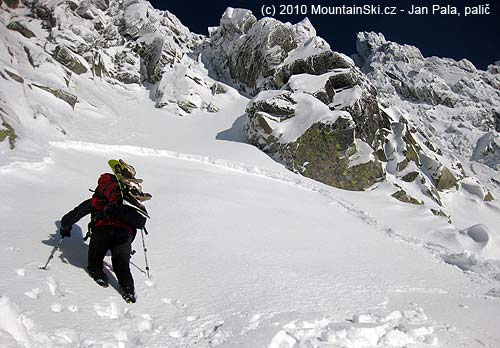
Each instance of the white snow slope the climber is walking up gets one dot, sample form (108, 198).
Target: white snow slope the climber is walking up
(243, 253)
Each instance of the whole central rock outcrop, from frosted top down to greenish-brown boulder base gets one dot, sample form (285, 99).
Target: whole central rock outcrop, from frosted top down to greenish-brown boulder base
(316, 111)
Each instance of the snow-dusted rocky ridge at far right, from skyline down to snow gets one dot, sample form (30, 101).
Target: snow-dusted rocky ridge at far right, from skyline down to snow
(450, 108)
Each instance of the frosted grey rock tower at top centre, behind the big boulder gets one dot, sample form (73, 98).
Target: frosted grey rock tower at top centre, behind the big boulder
(250, 52)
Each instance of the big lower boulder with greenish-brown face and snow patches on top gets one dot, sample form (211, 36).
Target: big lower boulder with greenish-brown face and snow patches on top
(311, 139)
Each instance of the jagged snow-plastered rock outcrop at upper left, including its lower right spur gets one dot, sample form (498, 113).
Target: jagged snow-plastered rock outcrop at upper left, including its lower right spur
(119, 42)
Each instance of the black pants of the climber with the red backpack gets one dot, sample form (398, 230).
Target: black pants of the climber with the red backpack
(119, 241)
